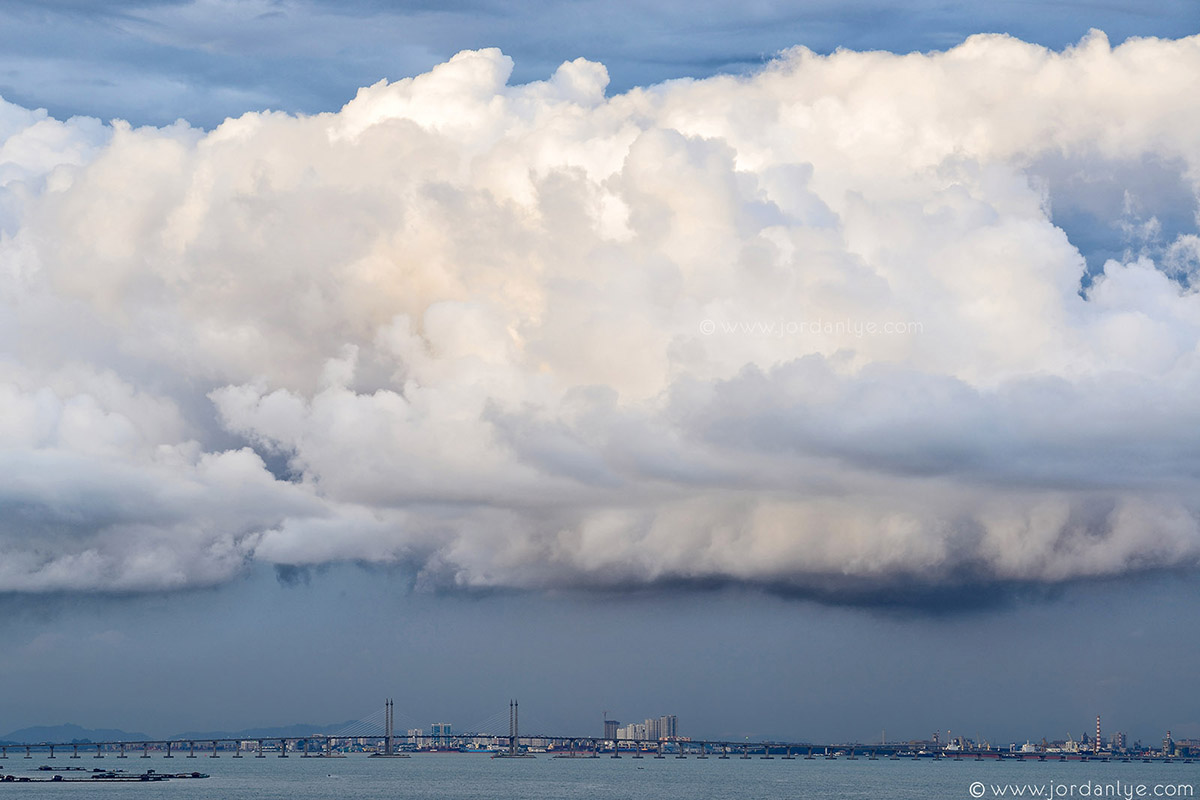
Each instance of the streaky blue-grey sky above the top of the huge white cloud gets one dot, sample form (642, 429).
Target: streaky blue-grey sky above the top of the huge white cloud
(157, 62)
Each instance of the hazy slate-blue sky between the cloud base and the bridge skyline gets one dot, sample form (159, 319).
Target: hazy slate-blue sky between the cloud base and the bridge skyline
(729, 664)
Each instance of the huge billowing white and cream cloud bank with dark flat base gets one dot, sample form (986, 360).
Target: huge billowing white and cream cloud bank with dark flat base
(856, 326)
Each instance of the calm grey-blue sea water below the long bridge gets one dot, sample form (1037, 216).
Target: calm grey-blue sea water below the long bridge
(479, 778)
